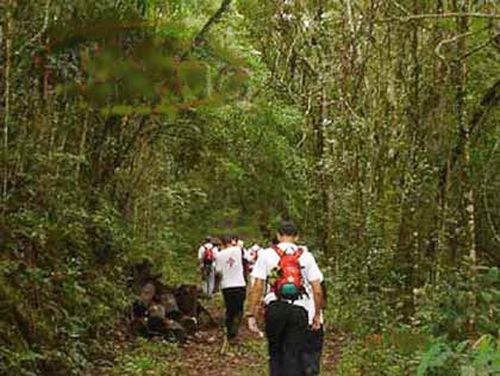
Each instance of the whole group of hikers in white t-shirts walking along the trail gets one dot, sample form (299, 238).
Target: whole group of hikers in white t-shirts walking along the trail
(284, 281)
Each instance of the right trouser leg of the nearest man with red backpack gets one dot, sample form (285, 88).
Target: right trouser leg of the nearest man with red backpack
(294, 340)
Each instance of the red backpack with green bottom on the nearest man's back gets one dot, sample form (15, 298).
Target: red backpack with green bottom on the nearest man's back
(288, 284)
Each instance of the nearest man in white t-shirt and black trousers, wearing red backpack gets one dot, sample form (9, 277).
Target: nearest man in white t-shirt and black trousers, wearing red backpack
(291, 271)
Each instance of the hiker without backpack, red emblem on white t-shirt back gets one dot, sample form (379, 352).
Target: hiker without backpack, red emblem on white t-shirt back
(229, 265)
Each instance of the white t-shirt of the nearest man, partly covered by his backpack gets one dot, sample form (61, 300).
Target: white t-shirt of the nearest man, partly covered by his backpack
(269, 259)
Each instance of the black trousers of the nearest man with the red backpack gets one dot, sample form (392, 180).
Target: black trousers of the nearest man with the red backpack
(286, 326)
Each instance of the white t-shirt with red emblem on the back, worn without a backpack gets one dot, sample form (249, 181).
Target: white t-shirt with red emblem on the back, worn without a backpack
(230, 264)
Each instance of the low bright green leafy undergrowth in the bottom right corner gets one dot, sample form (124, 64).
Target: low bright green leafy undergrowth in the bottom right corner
(388, 355)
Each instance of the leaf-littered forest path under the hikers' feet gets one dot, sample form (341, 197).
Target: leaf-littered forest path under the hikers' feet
(203, 354)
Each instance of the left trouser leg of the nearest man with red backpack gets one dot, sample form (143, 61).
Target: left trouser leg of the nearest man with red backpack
(275, 320)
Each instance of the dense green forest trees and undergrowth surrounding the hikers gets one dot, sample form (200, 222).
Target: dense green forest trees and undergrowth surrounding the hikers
(131, 129)
